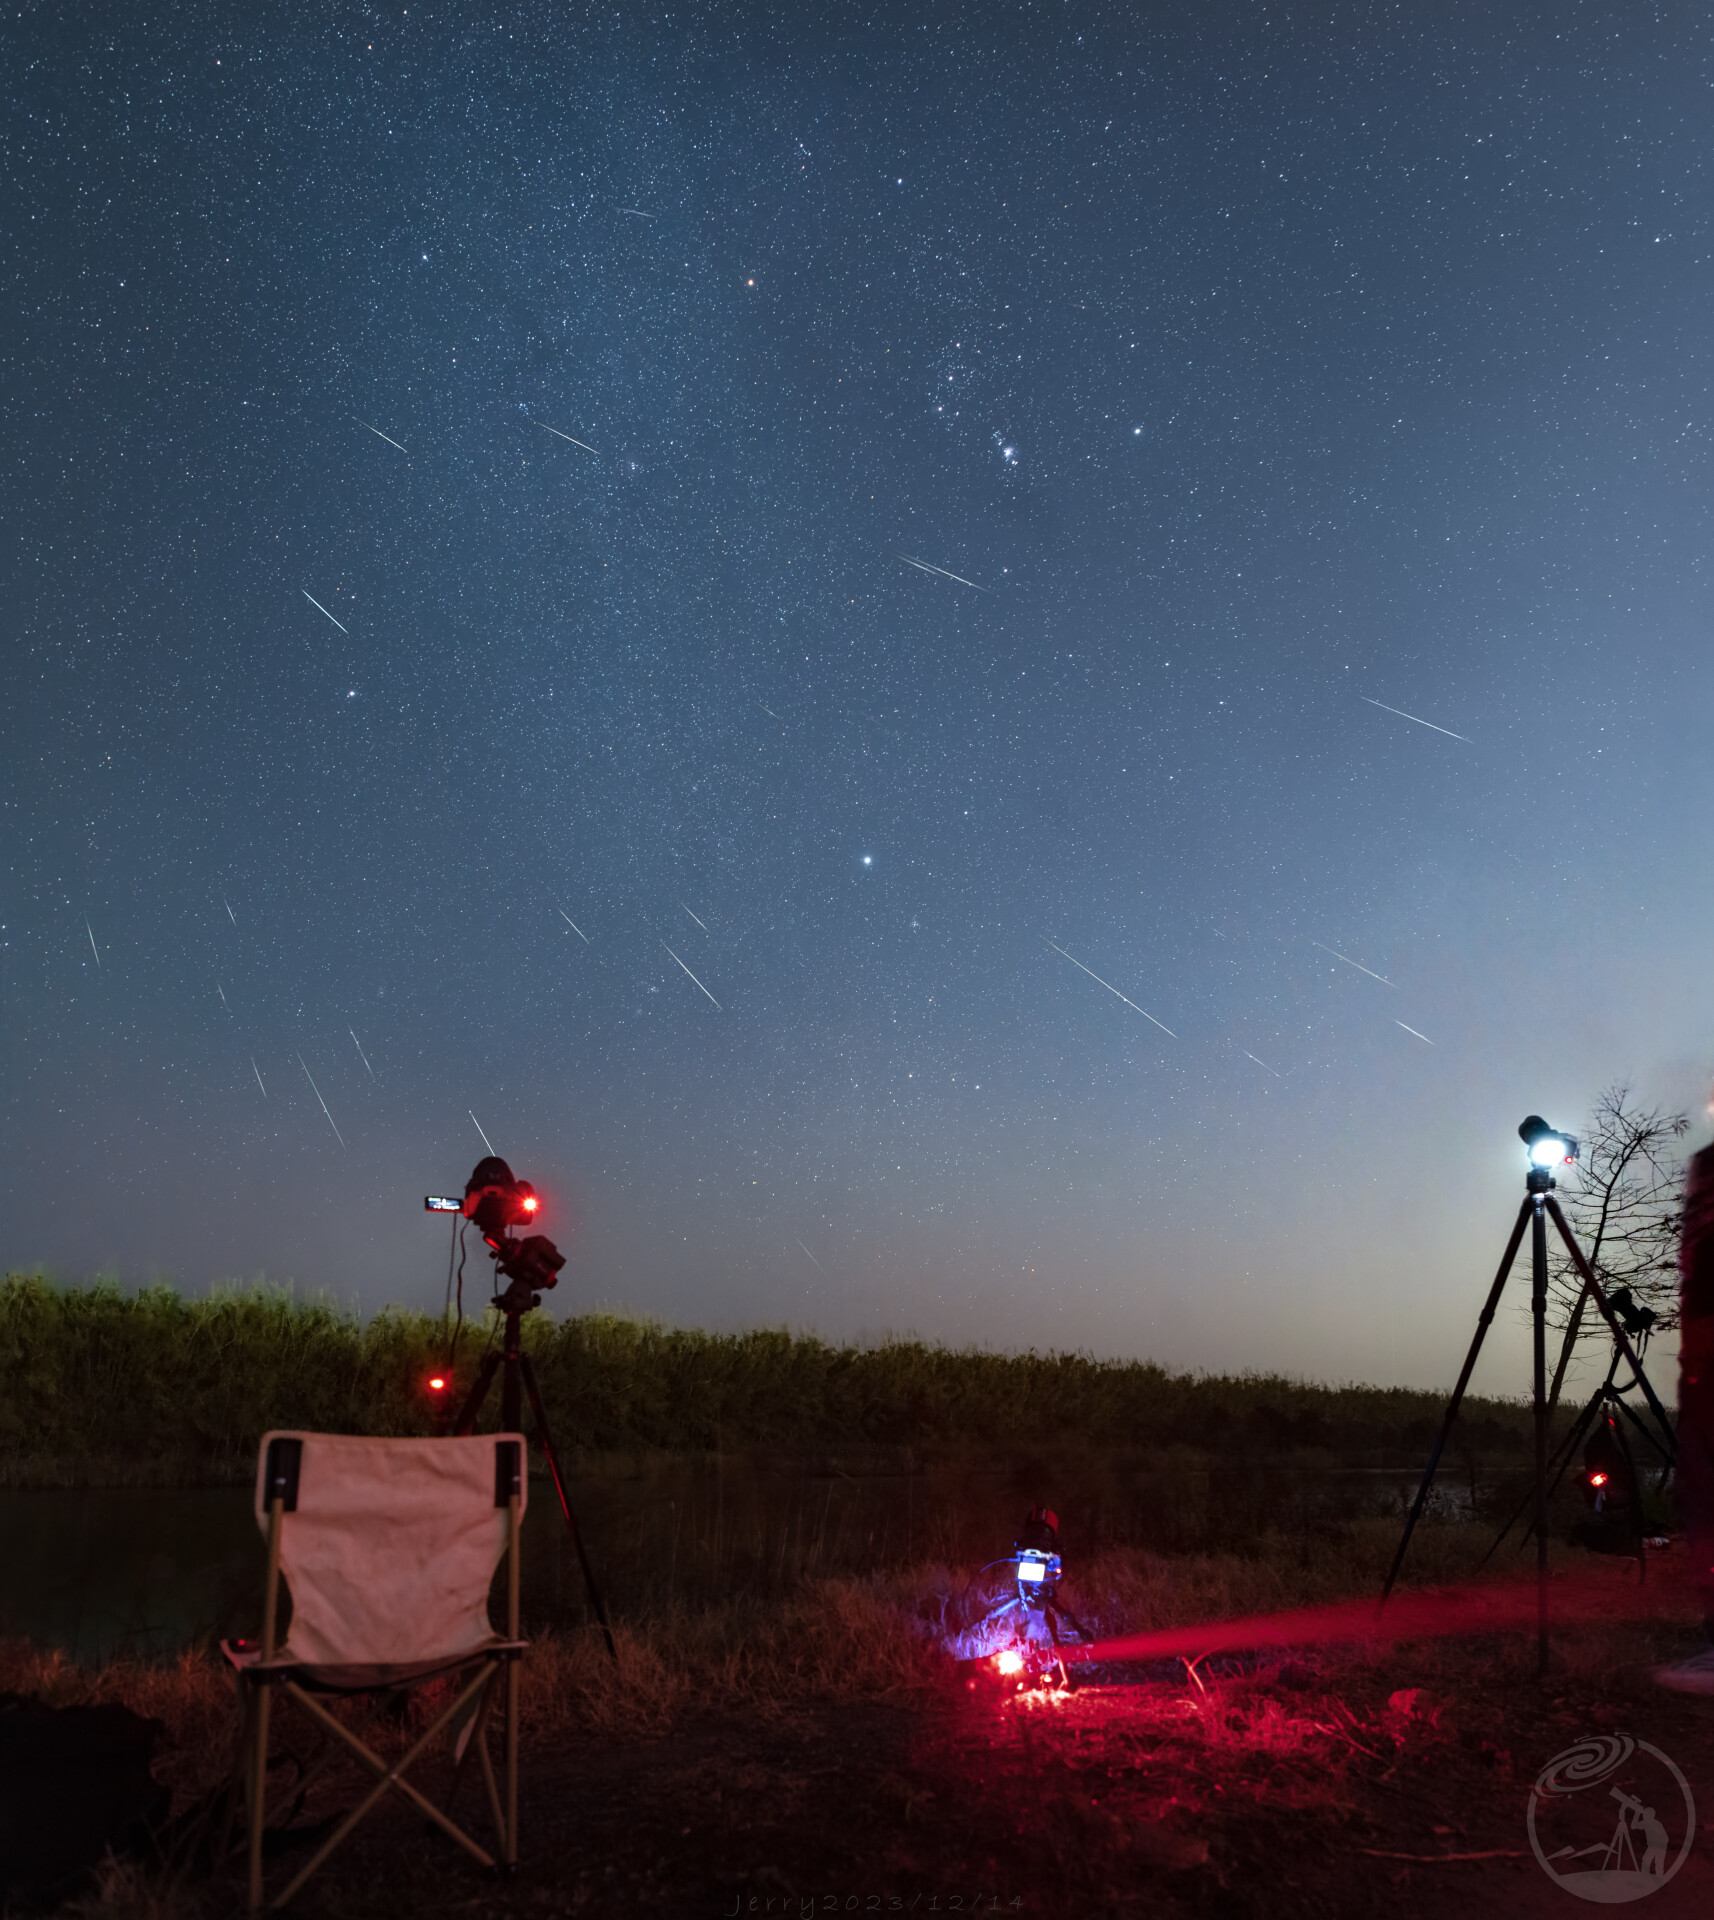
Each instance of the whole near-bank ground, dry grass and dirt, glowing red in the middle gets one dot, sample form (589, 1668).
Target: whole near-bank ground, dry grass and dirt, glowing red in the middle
(1335, 1779)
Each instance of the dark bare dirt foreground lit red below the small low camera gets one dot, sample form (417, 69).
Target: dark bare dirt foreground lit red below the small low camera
(1350, 1785)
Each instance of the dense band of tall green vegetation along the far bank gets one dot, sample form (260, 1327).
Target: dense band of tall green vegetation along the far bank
(156, 1387)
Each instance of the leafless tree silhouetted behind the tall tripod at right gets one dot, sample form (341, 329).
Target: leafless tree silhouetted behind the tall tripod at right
(1623, 1203)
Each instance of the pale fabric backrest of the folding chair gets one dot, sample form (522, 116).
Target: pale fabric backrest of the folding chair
(391, 1547)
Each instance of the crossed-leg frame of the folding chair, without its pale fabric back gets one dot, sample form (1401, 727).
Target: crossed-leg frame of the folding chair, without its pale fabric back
(258, 1685)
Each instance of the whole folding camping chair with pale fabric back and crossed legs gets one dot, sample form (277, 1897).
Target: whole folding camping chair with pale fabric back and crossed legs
(389, 1550)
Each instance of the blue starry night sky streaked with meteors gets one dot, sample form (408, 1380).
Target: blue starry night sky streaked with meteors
(807, 615)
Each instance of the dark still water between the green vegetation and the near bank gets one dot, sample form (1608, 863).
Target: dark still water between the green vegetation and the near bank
(105, 1572)
